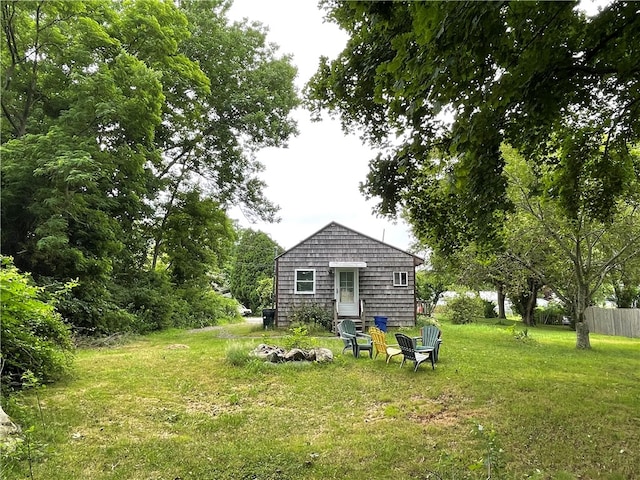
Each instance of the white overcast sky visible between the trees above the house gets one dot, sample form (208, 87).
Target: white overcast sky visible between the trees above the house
(315, 180)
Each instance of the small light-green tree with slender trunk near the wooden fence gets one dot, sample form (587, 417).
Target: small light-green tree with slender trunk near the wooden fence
(571, 255)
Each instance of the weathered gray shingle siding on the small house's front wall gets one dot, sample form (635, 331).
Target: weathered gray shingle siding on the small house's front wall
(337, 243)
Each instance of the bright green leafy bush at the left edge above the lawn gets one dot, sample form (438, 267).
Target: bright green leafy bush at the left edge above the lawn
(34, 336)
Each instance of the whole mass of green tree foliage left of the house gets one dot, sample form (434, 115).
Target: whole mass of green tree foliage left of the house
(128, 129)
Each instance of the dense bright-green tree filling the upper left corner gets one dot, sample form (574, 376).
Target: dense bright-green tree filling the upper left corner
(79, 114)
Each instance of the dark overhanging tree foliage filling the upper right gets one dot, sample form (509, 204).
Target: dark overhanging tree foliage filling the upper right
(452, 81)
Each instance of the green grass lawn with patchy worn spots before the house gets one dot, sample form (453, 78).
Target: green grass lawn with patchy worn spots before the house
(194, 406)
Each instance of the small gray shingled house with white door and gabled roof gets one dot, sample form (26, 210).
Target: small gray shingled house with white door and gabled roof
(351, 274)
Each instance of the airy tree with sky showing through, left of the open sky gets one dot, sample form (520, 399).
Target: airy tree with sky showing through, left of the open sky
(209, 134)
